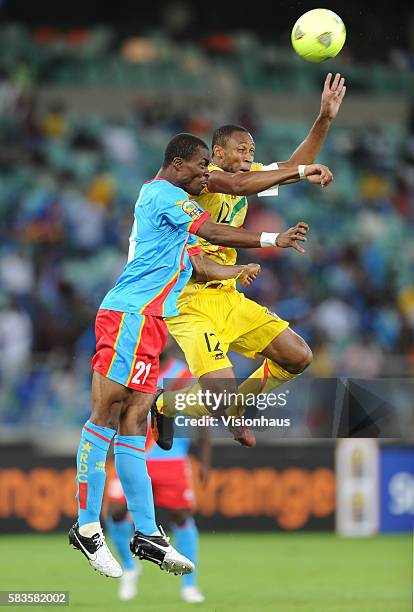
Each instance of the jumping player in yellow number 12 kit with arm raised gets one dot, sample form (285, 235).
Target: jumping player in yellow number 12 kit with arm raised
(214, 317)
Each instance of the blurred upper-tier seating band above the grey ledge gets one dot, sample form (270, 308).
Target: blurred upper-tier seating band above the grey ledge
(96, 57)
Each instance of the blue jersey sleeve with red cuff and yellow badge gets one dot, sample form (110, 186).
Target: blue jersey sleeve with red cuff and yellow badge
(182, 212)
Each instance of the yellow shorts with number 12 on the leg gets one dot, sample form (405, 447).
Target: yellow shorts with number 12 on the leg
(215, 320)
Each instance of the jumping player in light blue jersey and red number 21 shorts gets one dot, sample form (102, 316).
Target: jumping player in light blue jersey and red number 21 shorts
(130, 335)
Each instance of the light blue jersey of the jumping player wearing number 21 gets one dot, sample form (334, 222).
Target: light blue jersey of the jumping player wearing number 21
(158, 264)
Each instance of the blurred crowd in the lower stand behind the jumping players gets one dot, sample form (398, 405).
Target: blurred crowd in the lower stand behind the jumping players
(67, 188)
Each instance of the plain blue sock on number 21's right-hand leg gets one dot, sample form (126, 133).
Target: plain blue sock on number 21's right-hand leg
(131, 468)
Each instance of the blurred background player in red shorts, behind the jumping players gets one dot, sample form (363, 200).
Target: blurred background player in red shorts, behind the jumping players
(170, 473)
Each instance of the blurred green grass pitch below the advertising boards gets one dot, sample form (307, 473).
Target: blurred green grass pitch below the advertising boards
(247, 572)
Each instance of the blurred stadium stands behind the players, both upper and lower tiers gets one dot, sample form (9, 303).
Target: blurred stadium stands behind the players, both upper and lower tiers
(65, 207)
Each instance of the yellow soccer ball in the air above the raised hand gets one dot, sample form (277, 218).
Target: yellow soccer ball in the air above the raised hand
(318, 35)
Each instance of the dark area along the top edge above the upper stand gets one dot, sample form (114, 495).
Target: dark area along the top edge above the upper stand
(377, 25)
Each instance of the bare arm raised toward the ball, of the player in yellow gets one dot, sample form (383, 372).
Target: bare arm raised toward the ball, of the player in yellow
(332, 96)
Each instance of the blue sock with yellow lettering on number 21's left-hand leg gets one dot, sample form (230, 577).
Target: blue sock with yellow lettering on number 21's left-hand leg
(91, 475)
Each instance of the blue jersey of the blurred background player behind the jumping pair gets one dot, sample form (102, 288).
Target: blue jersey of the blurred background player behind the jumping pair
(174, 371)
